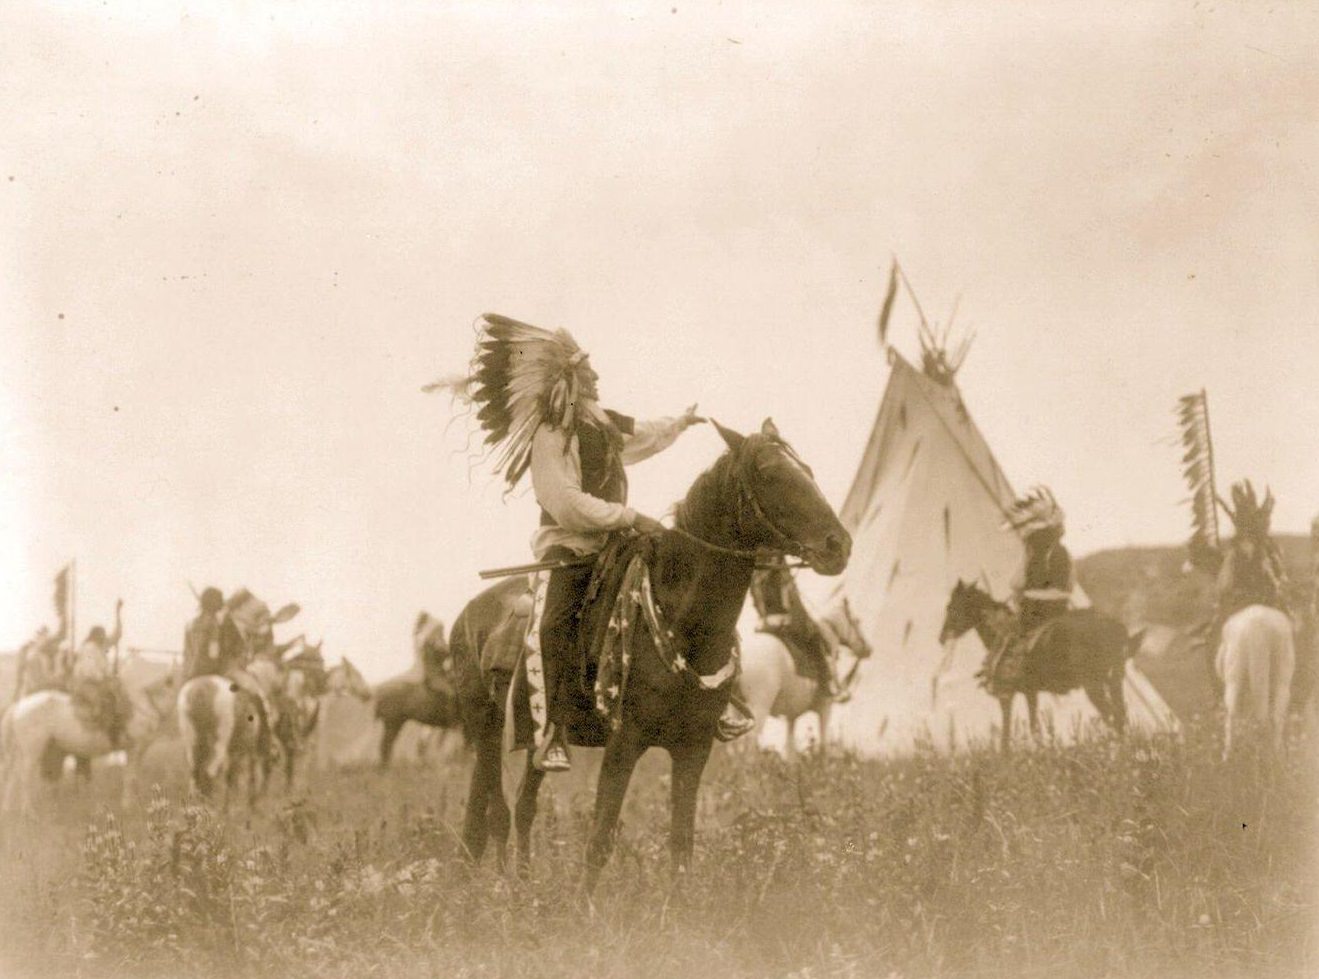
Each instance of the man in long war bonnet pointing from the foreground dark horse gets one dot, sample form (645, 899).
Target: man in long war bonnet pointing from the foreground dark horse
(540, 408)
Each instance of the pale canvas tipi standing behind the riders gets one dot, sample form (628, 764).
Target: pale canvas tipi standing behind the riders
(925, 509)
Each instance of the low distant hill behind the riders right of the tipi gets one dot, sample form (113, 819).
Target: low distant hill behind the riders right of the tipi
(1147, 588)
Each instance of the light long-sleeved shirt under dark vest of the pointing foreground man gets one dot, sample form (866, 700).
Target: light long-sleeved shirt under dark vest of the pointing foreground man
(582, 522)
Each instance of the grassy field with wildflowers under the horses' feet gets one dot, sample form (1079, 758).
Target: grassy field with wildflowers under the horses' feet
(1146, 858)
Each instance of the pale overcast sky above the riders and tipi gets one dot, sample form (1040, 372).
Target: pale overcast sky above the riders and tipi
(237, 242)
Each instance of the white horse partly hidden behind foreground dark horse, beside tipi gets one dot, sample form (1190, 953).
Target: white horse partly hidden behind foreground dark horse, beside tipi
(774, 688)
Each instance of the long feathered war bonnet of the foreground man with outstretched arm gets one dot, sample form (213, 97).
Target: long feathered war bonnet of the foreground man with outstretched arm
(522, 377)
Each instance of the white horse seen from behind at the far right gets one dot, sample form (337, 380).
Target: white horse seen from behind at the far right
(1256, 660)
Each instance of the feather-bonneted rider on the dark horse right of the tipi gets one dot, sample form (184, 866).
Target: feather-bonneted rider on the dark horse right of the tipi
(1043, 586)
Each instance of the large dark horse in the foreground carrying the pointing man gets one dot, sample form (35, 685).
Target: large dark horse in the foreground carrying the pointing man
(758, 499)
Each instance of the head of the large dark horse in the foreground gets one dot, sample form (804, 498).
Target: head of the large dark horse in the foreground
(780, 506)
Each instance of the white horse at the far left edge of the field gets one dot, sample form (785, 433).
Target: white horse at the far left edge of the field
(40, 730)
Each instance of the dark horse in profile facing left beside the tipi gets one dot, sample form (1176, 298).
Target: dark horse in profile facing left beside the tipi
(1084, 650)
